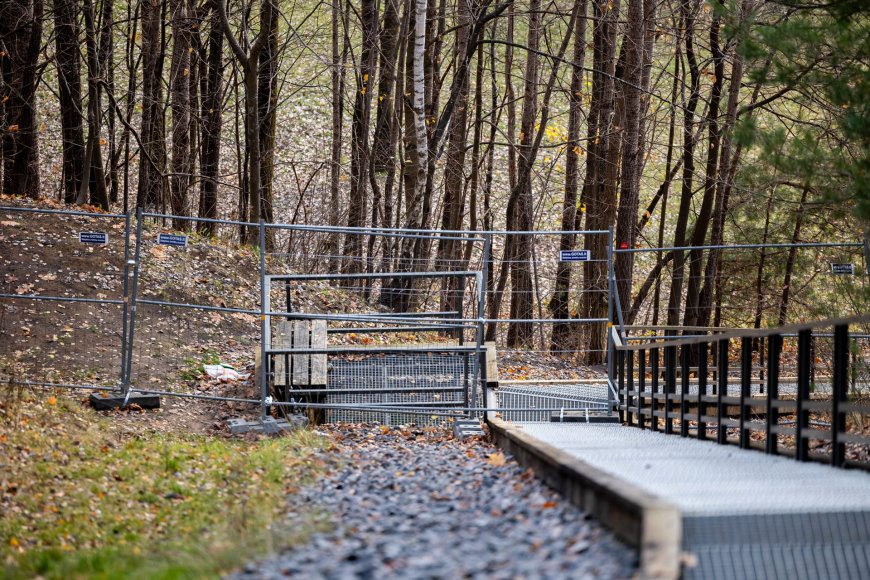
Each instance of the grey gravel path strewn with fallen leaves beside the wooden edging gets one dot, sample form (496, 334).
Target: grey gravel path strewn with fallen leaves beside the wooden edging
(412, 504)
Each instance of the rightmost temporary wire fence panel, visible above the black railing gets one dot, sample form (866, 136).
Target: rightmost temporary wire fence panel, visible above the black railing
(756, 285)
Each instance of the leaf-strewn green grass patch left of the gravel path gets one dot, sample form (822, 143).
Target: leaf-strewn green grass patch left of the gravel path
(78, 501)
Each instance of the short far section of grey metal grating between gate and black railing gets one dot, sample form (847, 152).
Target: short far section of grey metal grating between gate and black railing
(542, 402)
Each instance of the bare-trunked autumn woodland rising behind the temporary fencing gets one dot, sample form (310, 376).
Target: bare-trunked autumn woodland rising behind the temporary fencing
(680, 123)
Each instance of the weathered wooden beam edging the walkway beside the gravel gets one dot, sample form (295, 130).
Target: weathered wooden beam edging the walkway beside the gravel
(645, 521)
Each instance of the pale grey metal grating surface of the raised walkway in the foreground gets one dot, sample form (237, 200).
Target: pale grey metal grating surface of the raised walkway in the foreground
(745, 514)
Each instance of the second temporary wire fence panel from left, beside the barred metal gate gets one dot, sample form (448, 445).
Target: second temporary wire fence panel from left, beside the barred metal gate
(188, 311)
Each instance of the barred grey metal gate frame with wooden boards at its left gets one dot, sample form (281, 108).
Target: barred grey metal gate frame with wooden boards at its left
(376, 358)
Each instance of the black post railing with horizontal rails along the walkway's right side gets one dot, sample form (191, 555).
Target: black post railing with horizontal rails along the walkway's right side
(639, 404)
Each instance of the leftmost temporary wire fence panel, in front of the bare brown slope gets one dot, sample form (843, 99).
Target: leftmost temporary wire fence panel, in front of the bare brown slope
(63, 323)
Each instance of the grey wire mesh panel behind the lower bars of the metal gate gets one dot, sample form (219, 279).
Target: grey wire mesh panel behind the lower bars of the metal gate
(436, 380)
